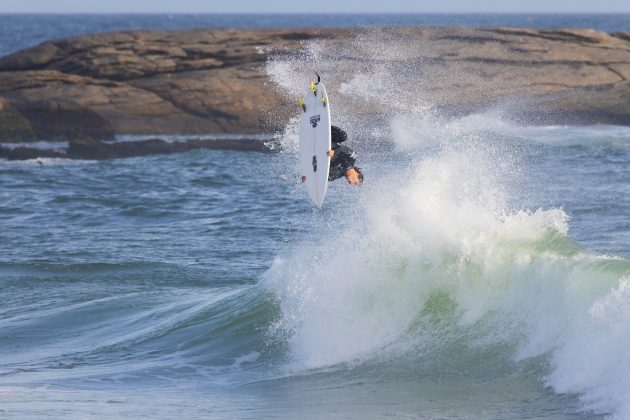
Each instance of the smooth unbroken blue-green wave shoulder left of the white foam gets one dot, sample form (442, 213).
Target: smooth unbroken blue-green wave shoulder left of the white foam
(149, 335)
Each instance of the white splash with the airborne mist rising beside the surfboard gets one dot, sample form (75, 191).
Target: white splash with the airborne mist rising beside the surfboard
(435, 237)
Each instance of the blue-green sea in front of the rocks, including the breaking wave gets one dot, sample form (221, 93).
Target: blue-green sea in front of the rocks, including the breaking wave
(482, 271)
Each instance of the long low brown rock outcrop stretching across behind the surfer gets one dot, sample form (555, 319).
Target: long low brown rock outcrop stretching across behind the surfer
(89, 89)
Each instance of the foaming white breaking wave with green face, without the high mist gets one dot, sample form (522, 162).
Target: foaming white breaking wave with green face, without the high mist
(443, 248)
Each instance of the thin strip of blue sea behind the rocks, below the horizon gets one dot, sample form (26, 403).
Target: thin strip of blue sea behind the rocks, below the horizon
(19, 31)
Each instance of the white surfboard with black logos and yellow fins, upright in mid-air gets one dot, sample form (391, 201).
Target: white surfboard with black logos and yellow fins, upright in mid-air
(315, 142)
